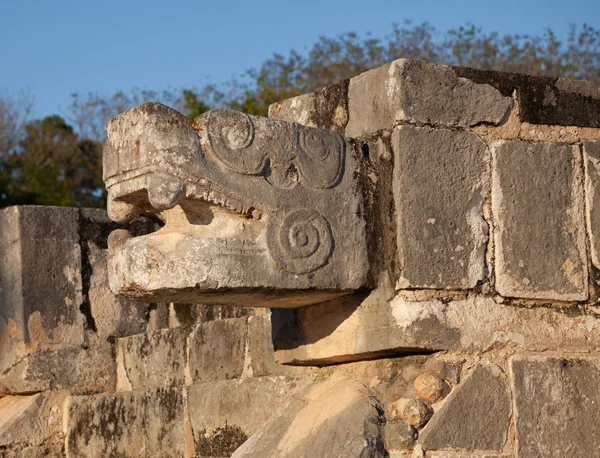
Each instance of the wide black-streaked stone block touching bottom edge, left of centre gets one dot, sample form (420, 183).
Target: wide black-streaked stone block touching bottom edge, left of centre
(134, 424)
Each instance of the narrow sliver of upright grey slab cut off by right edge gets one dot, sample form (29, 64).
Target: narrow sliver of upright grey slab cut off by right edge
(592, 193)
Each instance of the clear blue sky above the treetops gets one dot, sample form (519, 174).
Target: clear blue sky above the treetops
(53, 48)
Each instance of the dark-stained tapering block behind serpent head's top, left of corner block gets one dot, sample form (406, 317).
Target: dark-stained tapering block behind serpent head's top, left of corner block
(326, 108)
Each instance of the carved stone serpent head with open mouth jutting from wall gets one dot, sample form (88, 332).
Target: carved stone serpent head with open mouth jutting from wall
(256, 212)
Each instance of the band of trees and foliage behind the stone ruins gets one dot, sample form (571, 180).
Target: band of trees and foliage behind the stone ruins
(49, 162)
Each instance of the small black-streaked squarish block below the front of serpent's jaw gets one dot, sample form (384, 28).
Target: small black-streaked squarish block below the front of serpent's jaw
(152, 360)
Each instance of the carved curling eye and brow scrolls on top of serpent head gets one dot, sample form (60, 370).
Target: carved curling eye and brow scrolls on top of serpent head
(283, 153)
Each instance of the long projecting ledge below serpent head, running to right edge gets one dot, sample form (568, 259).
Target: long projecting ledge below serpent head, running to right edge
(338, 332)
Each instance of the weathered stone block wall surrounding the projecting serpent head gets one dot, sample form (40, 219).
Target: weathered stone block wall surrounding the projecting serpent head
(480, 335)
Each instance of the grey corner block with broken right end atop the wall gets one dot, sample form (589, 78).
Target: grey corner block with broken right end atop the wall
(420, 92)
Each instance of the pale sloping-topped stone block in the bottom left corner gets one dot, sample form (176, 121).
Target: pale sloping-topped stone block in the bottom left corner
(30, 421)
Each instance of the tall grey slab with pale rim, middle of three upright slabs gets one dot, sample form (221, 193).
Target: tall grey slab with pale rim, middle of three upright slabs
(537, 203)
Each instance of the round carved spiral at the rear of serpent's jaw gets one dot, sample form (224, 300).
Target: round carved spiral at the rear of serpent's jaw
(301, 242)
